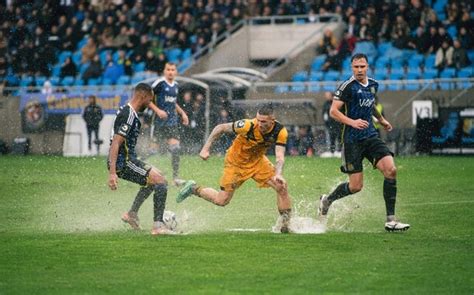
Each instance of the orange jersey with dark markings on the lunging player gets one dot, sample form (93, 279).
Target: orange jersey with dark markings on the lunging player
(250, 145)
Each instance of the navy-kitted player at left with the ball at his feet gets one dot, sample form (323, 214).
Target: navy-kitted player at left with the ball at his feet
(123, 163)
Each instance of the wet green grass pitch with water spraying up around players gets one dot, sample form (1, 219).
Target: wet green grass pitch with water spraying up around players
(60, 232)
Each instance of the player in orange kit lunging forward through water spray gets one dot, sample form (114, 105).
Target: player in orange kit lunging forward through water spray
(246, 159)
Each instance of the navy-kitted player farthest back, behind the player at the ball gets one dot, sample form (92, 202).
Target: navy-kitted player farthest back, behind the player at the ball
(167, 123)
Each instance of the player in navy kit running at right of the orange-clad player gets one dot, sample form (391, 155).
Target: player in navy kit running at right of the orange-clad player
(360, 140)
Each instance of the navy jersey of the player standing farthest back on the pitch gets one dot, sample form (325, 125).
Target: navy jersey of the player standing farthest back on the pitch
(166, 96)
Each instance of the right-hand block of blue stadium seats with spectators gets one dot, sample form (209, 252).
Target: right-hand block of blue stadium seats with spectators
(411, 40)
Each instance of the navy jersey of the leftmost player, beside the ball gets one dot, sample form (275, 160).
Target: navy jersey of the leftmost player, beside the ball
(127, 125)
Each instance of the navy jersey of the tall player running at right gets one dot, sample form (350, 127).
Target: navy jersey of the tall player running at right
(358, 104)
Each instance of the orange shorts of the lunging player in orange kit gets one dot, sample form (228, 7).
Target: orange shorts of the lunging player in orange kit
(234, 176)
